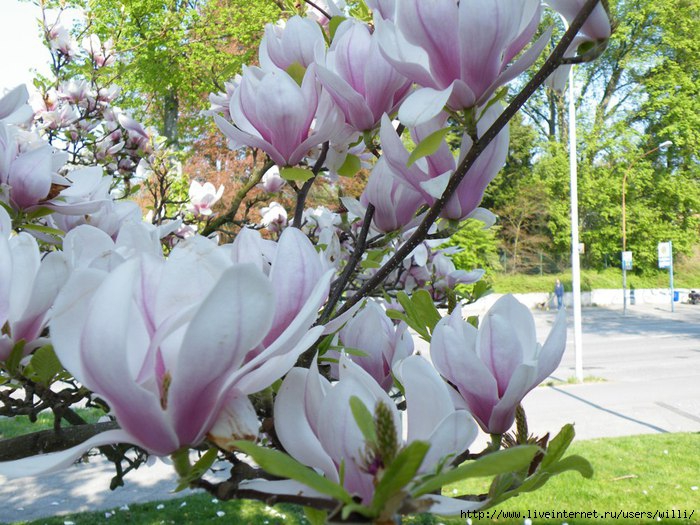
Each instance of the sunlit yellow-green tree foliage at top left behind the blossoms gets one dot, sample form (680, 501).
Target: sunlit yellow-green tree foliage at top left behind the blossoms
(172, 54)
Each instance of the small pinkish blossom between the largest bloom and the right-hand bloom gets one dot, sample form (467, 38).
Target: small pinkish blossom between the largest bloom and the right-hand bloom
(373, 333)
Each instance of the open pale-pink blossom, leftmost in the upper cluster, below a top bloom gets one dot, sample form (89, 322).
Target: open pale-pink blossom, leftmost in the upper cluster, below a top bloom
(272, 112)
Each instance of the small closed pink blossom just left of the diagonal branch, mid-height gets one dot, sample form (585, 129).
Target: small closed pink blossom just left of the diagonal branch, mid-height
(395, 202)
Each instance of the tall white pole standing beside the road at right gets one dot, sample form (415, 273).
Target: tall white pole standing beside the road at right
(575, 262)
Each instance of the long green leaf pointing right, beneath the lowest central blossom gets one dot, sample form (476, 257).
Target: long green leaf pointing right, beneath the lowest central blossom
(501, 462)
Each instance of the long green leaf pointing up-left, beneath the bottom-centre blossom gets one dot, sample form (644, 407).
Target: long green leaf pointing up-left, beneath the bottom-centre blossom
(280, 464)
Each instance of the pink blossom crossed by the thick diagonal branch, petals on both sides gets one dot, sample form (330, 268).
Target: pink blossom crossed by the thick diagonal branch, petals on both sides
(429, 175)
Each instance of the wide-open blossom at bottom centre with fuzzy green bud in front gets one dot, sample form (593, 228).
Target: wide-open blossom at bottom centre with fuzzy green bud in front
(315, 424)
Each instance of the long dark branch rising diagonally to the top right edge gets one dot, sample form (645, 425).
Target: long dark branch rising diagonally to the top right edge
(553, 61)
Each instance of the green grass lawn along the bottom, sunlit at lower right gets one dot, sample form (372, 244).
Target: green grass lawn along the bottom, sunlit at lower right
(650, 473)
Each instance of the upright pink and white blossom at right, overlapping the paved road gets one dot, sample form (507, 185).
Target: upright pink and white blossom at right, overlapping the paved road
(494, 367)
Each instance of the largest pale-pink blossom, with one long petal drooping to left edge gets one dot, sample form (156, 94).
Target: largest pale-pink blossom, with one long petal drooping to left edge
(176, 358)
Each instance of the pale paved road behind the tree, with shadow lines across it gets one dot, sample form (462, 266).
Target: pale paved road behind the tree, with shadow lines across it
(650, 361)
